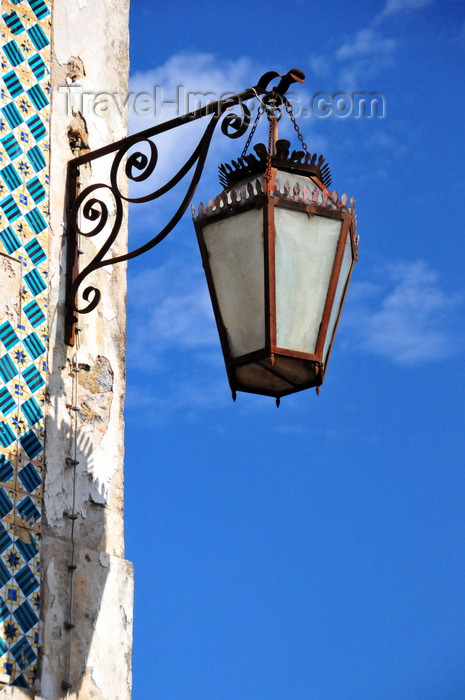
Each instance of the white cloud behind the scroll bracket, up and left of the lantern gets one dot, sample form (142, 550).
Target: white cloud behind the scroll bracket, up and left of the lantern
(171, 90)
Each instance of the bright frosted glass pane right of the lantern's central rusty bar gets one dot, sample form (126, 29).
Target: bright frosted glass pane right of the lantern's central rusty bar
(305, 251)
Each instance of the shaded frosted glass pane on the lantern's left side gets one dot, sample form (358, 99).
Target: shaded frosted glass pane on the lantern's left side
(235, 247)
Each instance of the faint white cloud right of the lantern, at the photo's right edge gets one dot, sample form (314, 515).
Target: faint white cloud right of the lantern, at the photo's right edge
(408, 319)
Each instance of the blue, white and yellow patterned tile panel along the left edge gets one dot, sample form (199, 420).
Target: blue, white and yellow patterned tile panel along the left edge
(24, 217)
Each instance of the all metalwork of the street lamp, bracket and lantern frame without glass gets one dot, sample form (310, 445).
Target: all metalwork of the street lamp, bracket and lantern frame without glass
(251, 183)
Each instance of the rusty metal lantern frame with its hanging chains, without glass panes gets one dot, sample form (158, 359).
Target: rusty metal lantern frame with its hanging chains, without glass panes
(261, 182)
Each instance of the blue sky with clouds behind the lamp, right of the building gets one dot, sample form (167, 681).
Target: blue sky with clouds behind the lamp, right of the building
(315, 551)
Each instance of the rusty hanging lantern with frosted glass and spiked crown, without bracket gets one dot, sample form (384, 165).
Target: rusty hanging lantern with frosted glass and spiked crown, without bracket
(278, 250)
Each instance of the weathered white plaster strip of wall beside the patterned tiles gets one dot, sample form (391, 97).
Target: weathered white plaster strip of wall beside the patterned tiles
(90, 47)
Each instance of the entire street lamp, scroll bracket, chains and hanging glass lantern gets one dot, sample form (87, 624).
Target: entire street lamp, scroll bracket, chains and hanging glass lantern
(277, 246)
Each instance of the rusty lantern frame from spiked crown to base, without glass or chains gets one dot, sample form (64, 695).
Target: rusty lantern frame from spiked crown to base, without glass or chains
(268, 194)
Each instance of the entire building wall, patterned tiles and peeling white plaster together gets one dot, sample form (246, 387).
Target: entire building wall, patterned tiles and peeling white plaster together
(65, 587)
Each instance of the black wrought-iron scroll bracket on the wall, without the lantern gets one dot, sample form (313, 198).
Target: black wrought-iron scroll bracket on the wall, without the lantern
(89, 207)
